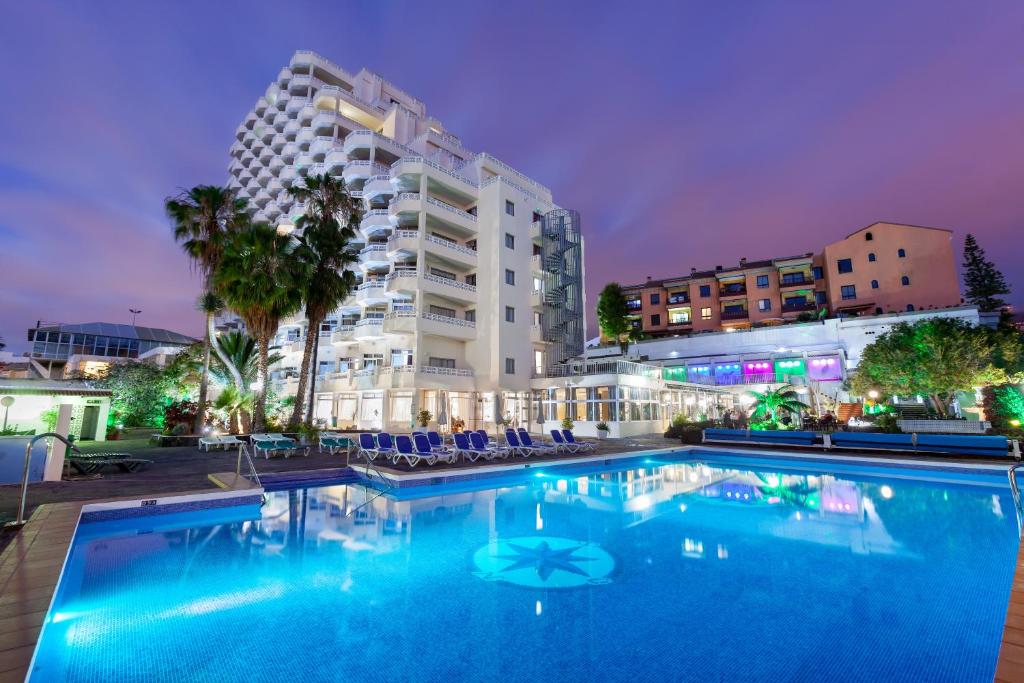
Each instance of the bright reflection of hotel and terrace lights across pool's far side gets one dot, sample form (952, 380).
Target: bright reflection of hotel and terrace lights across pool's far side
(820, 509)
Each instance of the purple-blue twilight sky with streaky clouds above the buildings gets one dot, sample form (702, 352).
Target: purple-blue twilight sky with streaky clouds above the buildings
(686, 134)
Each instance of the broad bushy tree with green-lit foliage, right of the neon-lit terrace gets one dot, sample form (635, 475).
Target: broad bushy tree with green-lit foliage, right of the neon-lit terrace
(936, 359)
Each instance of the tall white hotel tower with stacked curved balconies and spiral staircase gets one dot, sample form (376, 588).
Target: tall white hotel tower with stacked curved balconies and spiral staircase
(471, 277)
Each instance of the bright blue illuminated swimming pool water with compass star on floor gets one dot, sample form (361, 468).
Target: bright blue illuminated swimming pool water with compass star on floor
(699, 570)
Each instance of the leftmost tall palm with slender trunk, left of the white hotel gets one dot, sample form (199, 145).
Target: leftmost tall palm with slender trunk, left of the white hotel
(204, 218)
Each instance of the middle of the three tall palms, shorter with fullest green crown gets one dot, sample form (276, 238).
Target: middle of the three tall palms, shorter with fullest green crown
(261, 279)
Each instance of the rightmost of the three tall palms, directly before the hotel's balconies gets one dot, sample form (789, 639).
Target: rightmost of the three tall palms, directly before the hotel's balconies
(326, 248)
